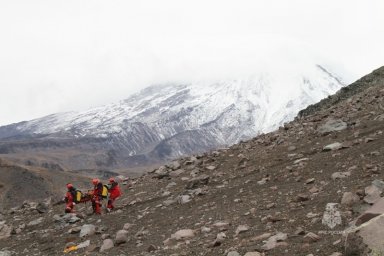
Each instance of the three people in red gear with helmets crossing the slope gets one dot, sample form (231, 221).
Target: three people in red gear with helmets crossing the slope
(111, 192)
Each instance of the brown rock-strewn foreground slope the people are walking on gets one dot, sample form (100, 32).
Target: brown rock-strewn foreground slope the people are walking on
(303, 189)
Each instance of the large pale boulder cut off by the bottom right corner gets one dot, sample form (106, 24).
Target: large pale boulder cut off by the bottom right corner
(367, 237)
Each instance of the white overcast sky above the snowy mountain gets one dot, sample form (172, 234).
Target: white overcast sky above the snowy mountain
(71, 55)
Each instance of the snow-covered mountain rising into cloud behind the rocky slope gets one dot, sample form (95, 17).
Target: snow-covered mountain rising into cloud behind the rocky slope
(169, 120)
